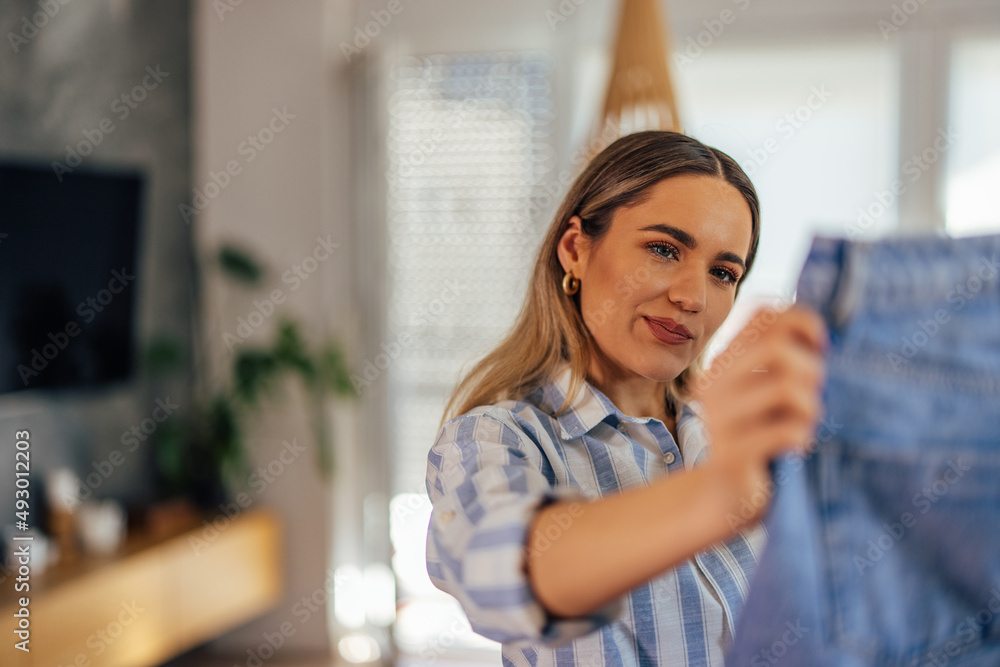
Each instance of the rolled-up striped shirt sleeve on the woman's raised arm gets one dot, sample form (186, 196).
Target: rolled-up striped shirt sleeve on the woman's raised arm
(485, 483)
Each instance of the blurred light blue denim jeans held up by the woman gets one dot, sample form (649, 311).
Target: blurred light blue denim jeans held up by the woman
(884, 539)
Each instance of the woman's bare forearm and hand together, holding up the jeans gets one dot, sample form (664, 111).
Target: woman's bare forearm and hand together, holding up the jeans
(751, 417)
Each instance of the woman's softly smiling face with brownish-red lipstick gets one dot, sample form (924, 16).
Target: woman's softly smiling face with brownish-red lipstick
(663, 278)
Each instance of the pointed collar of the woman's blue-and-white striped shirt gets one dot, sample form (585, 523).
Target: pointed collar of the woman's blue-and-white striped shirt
(591, 406)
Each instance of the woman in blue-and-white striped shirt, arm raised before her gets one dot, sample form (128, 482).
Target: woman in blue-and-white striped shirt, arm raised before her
(579, 517)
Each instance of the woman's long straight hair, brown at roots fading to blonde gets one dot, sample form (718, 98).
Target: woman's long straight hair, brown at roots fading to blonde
(549, 329)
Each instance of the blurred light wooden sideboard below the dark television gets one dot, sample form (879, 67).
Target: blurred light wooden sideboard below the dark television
(154, 600)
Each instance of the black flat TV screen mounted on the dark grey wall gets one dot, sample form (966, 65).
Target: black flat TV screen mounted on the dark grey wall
(68, 276)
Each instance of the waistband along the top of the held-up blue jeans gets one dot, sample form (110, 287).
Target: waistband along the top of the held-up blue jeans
(898, 272)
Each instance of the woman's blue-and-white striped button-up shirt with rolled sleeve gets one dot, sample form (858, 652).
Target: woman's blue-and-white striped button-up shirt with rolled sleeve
(492, 468)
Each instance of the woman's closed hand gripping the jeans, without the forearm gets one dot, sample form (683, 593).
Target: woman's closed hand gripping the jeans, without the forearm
(762, 397)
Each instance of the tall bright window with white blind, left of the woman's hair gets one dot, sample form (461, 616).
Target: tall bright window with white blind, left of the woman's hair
(469, 151)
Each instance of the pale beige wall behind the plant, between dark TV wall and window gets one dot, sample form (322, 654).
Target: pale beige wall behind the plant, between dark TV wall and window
(247, 62)
